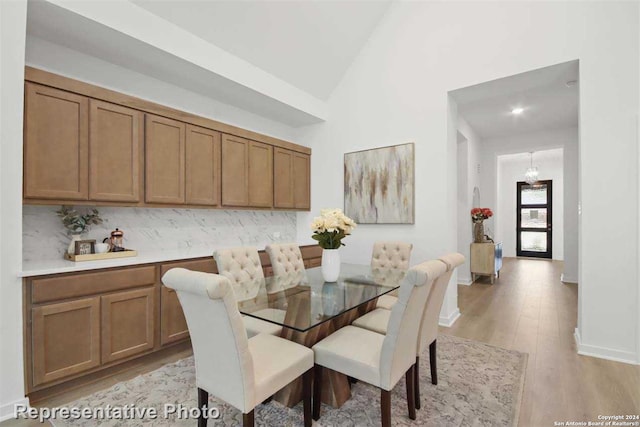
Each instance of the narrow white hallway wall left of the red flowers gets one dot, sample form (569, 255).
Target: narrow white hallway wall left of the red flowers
(468, 178)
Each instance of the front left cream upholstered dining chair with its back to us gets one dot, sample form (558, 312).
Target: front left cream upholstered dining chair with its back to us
(238, 370)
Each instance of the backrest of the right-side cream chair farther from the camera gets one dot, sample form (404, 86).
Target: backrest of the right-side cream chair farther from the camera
(429, 327)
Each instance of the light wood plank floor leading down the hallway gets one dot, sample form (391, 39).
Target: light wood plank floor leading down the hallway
(528, 309)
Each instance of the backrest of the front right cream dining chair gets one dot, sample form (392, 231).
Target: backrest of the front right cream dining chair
(400, 343)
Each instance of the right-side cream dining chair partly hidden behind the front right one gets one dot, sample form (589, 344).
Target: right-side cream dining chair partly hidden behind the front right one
(378, 320)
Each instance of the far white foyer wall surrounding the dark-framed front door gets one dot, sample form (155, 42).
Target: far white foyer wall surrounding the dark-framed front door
(511, 169)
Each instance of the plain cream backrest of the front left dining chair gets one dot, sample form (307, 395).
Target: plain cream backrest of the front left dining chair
(224, 365)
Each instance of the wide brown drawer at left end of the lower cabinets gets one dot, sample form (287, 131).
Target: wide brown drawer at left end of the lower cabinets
(76, 285)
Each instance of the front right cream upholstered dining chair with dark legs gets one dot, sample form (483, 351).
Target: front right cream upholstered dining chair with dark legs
(381, 360)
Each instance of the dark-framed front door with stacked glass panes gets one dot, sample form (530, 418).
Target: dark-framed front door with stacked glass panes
(533, 215)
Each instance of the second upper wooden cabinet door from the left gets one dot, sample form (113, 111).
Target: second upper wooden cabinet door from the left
(115, 155)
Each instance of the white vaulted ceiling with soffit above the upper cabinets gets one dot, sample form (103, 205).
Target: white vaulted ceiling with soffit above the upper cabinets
(280, 60)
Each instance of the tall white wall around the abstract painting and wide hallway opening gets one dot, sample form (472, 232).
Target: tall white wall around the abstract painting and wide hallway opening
(396, 91)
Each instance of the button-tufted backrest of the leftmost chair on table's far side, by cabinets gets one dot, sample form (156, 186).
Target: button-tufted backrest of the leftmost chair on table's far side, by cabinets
(242, 267)
